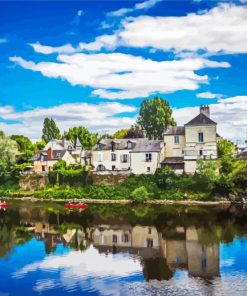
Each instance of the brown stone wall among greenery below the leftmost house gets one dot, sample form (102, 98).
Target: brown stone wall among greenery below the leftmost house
(33, 182)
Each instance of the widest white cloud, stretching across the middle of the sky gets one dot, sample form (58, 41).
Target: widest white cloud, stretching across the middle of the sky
(129, 76)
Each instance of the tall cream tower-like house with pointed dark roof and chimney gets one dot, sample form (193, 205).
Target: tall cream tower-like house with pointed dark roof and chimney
(186, 144)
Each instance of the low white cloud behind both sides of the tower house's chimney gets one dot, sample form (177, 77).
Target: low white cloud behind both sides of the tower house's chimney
(230, 114)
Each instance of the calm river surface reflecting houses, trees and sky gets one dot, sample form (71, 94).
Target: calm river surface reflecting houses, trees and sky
(122, 250)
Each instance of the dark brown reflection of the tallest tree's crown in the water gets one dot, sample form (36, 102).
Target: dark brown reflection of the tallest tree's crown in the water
(156, 269)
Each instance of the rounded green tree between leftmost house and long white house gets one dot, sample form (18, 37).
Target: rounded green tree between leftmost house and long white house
(86, 138)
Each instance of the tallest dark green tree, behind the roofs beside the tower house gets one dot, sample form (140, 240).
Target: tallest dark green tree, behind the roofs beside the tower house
(154, 117)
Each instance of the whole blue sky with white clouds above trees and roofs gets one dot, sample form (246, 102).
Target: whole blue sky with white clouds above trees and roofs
(91, 63)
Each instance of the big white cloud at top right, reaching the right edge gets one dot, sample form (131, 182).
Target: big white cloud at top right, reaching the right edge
(221, 29)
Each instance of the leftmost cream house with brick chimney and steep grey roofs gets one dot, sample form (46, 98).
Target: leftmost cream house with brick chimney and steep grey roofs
(55, 150)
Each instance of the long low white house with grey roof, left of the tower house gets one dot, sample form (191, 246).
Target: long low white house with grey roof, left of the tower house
(137, 156)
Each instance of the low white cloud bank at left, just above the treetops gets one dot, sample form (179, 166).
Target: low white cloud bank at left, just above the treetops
(103, 117)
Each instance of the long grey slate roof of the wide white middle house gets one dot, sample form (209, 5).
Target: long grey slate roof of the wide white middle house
(138, 145)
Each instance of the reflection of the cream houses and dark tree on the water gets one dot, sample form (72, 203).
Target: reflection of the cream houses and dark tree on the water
(160, 255)
